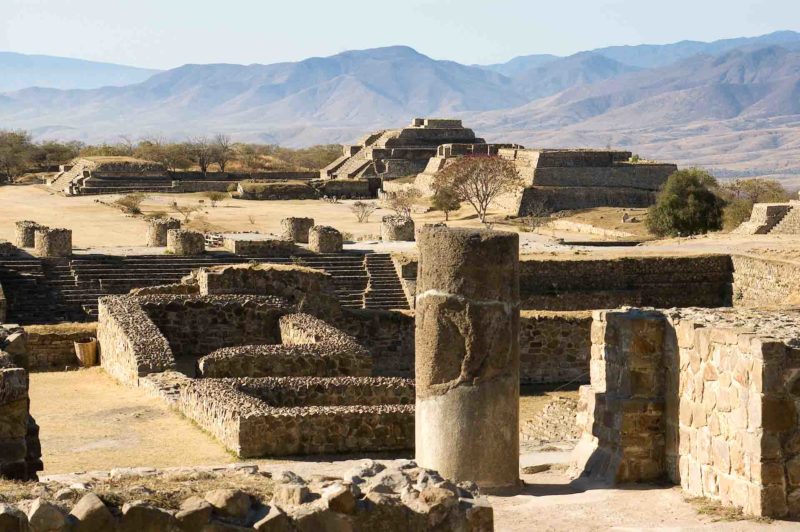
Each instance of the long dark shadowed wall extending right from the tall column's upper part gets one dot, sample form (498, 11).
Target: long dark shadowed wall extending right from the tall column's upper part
(703, 281)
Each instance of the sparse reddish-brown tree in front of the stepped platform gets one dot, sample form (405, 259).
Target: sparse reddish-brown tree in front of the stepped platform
(479, 181)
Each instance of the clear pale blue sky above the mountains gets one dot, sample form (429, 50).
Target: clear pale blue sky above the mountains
(168, 33)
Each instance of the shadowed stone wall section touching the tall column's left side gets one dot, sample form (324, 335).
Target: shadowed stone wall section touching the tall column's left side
(387, 334)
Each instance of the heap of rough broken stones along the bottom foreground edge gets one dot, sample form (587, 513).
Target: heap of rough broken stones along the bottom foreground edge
(368, 497)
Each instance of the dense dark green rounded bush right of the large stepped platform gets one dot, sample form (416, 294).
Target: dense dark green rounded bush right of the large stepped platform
(687, 205)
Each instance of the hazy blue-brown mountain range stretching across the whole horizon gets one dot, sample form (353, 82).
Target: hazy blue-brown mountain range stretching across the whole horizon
(731, 105)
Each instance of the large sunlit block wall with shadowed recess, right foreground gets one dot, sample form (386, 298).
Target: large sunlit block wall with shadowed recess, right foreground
(707, 398)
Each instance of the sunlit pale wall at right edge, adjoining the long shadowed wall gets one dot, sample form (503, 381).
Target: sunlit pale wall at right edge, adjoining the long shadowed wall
(759, 282)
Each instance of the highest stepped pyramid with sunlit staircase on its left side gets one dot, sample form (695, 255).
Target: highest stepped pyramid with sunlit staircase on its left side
(395, 153)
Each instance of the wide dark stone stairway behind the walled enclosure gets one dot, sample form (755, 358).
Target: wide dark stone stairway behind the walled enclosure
(57, 290)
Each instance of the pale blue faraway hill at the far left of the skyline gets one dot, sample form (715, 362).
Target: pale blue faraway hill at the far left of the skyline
(21, 71)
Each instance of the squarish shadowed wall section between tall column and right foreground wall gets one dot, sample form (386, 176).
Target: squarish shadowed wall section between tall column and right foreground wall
(554, 347)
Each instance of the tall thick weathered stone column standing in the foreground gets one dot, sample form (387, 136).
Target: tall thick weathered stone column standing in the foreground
(467, 356)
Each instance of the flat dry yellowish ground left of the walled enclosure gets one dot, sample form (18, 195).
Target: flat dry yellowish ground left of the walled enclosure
(89, 422)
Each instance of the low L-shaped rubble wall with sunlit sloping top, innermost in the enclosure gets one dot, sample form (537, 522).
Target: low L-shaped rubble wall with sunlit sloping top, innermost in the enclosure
(309, 347)
